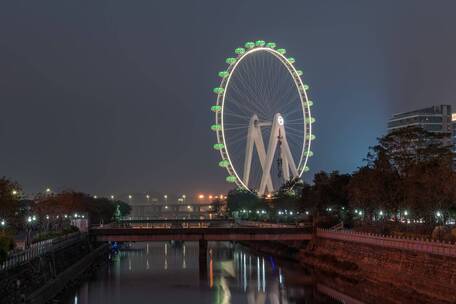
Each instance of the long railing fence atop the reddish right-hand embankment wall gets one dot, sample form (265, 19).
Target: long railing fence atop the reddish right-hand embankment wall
(427, 246)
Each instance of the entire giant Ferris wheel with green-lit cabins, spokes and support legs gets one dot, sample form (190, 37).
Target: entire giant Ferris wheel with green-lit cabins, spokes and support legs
(262, 118)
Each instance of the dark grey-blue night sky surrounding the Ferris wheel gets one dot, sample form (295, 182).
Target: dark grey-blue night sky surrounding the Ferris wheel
(114, 96)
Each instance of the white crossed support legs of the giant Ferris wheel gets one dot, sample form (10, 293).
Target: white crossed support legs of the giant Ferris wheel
(255, 138)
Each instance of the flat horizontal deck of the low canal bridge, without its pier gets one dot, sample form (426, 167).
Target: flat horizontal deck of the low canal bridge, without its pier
(197, 234)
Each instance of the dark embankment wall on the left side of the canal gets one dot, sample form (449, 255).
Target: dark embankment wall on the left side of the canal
(34, 281)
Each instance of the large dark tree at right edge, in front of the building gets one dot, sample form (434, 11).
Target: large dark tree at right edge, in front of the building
(409, 169)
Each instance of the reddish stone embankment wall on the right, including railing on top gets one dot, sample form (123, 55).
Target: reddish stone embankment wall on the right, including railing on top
(371, 267)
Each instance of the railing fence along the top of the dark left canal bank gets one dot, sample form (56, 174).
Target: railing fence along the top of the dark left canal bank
(37, 249)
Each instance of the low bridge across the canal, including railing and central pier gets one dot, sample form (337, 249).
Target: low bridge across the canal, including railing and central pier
(204, 230)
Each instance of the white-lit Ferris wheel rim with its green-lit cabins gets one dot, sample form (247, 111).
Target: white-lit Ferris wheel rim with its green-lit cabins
(221, 145)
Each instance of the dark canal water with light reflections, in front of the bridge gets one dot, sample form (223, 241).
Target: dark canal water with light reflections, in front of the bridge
(164, 272)
